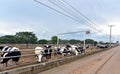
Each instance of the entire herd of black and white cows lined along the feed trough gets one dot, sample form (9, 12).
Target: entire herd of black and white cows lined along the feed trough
(14, 53)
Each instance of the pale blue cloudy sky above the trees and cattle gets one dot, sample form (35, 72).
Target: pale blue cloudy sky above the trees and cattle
(28, 15)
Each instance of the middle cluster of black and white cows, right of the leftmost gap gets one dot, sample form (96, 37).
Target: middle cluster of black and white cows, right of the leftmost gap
(66, 50)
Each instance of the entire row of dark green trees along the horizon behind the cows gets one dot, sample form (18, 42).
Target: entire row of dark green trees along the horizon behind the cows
(30, 38)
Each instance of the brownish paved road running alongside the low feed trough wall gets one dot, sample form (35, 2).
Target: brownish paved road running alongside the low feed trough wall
(107, 62)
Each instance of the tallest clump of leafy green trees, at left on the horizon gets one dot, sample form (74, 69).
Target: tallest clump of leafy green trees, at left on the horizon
(20, 37)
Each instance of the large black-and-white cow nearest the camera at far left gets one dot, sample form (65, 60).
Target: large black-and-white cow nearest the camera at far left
(8, 53)
